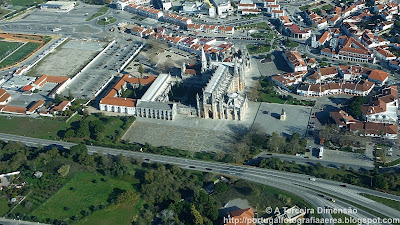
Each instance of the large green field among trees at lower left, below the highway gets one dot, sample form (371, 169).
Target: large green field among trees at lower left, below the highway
(80, 193)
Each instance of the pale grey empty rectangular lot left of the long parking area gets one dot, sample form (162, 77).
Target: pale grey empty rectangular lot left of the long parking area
(68, 58)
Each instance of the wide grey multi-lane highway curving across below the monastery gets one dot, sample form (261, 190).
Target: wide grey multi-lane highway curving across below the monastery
(299, 184)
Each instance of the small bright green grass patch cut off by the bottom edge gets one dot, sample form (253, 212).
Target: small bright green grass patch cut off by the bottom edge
(115, 214)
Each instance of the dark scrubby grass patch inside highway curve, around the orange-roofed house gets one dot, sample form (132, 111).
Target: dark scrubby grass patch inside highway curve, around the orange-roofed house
(260, 196)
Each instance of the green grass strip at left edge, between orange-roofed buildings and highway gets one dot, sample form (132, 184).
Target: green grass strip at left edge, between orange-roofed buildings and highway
(45, 128)
